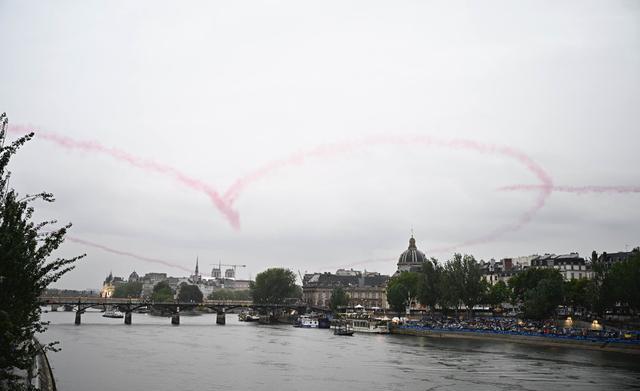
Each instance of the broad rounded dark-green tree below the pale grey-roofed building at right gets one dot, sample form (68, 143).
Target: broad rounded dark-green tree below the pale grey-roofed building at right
(540, 291)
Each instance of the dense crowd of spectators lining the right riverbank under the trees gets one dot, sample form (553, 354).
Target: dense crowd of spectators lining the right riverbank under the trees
(506, 325)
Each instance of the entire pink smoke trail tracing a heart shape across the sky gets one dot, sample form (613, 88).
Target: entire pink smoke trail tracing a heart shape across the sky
(224, 203)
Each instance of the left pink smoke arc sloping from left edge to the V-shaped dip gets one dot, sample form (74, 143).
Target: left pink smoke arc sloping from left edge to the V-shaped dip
(145, 164)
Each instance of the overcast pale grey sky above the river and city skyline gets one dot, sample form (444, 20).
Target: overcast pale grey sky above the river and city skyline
(222, 90)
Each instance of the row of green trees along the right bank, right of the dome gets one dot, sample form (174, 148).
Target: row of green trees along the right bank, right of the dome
(538, 292)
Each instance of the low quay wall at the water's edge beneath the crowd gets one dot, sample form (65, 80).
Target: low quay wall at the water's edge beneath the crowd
(539, 340)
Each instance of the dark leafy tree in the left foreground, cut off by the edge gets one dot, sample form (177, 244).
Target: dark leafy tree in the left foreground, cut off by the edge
(25, 269)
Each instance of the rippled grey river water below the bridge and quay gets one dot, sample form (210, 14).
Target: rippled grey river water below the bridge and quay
(151, 354)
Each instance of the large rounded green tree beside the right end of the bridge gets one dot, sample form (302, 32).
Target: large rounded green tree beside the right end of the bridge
(274, 286)
